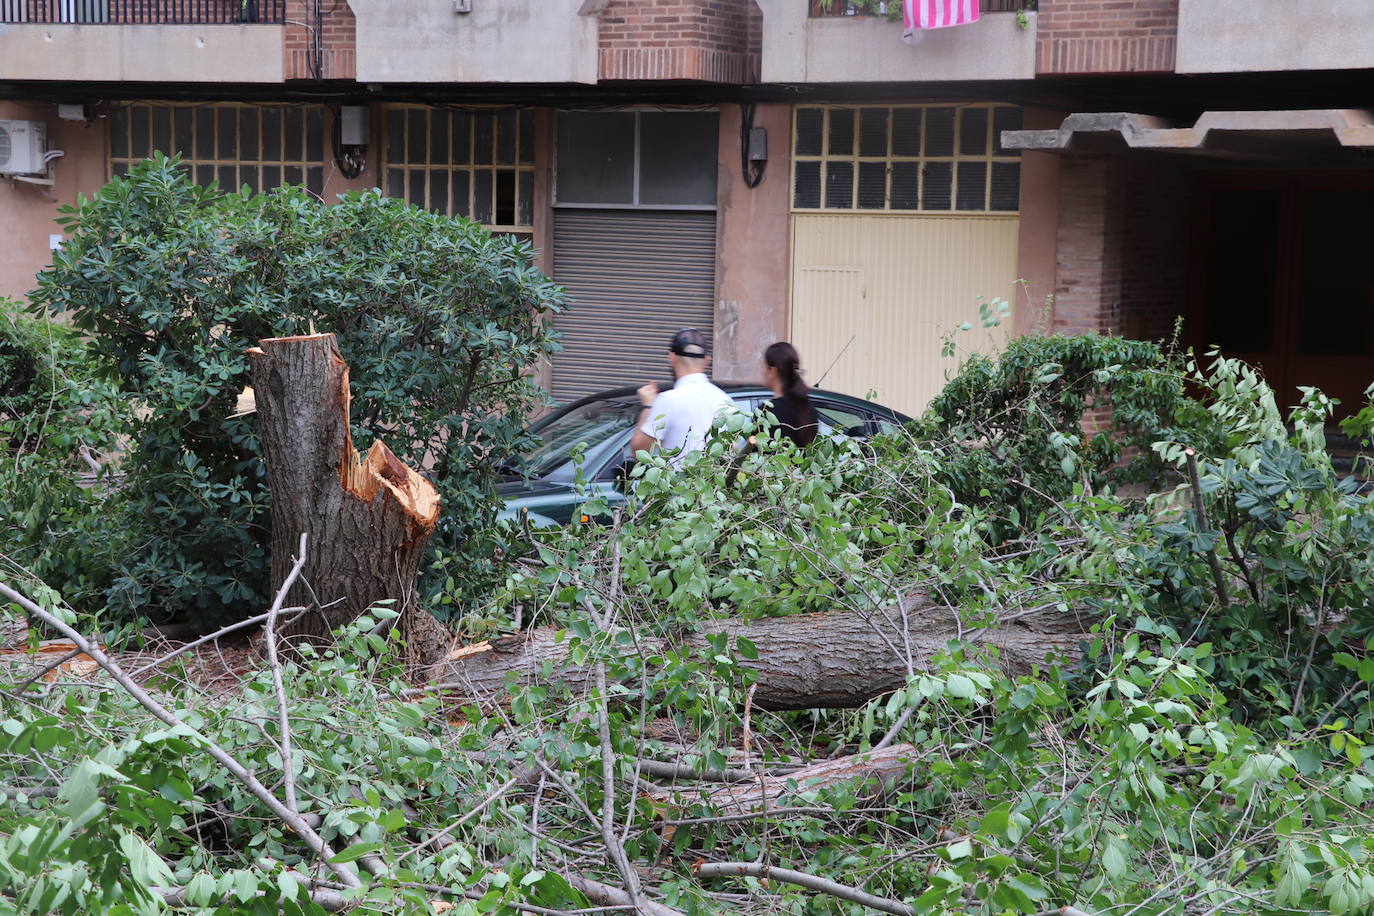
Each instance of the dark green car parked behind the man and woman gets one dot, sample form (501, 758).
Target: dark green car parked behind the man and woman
(552, 485)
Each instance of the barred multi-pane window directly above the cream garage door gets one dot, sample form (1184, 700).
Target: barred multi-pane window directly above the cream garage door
(927, 159)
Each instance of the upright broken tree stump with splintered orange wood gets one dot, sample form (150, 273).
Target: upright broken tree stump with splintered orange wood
(368, 518)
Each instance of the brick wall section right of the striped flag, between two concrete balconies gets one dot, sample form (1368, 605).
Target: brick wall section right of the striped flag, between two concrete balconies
(1107, 36)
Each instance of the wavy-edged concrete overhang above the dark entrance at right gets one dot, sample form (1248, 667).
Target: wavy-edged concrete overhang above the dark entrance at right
(1236, 135)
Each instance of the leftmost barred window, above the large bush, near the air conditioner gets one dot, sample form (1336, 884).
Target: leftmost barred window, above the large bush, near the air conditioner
(260, 146)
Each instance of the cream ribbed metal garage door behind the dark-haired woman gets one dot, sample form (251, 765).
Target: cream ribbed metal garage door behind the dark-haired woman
(876, 296)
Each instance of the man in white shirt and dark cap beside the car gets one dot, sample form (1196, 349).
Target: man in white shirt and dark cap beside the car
(678, 420)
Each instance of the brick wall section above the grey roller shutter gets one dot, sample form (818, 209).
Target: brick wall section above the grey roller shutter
(708, 41)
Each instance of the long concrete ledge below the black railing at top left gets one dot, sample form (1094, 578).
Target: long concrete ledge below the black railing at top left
(142, 54)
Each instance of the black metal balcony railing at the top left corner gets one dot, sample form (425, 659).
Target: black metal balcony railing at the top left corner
(120, 13)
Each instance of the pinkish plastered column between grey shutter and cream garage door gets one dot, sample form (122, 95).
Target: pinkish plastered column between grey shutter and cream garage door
(752, 247)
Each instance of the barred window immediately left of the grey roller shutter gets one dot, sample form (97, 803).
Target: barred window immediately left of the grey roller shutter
(473, 164)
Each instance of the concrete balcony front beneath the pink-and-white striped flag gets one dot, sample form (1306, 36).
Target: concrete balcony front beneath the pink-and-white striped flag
(802, 49)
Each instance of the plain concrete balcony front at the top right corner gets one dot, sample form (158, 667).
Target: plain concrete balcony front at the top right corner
(1243, 36)
